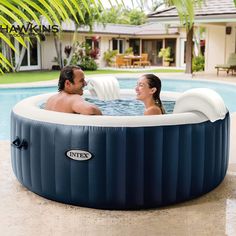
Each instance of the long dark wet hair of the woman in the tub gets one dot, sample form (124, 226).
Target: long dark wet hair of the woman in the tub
(155, 82)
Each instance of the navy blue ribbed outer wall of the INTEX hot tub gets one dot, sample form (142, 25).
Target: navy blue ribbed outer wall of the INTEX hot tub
(130, 168)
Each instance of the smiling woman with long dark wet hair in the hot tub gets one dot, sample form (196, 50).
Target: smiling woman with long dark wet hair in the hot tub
(148, 91)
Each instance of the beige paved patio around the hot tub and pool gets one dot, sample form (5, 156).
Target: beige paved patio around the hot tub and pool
(25, 213)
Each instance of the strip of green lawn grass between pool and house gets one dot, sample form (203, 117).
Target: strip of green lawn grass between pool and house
(35, 76)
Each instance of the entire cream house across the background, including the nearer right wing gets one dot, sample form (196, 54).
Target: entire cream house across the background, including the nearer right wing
(218, 18)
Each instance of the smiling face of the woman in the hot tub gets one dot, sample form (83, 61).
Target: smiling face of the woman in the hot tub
(142, 89)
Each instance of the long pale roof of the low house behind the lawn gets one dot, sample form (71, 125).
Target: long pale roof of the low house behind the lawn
(123, 29)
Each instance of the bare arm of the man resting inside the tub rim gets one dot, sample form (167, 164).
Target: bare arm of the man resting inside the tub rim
(85, 108)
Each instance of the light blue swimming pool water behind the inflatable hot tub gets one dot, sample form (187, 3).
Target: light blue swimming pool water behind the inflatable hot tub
(9, 97)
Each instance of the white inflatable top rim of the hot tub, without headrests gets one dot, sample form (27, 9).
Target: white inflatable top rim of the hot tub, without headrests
(29, 108)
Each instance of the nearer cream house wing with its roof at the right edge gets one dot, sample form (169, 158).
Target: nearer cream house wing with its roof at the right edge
(219, 20)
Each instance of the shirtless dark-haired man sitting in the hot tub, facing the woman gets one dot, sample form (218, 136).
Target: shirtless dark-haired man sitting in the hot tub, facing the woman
(70, 87)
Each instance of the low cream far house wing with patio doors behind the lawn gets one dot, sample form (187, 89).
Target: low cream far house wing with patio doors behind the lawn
(148, 38)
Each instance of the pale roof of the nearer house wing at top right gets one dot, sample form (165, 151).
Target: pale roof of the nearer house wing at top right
(210, 10)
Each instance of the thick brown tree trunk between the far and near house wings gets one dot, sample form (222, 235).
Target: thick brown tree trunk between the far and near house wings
(189, 51)
